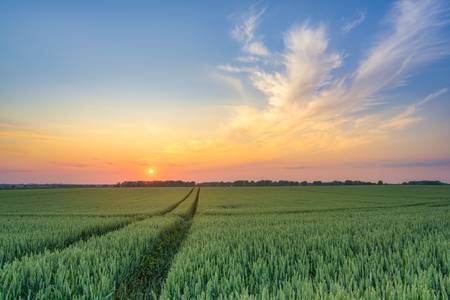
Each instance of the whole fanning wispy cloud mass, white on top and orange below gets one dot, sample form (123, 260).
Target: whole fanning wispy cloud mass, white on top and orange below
(318, 112)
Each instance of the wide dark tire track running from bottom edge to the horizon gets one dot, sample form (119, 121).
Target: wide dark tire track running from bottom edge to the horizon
(147, 282)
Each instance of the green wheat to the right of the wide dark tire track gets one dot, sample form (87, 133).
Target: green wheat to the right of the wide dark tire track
(331, 243)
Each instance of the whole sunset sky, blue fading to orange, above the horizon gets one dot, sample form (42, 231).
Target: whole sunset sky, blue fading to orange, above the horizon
(104, 91)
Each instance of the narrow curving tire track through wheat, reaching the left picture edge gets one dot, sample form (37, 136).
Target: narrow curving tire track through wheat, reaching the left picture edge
(97, 232)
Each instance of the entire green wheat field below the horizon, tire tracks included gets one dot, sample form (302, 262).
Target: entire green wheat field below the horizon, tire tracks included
(359, 242)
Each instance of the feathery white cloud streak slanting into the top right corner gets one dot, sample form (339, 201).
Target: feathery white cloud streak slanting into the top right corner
(413, 38)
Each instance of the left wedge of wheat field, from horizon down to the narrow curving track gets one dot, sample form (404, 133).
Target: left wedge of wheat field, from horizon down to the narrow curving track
(22, 234)
